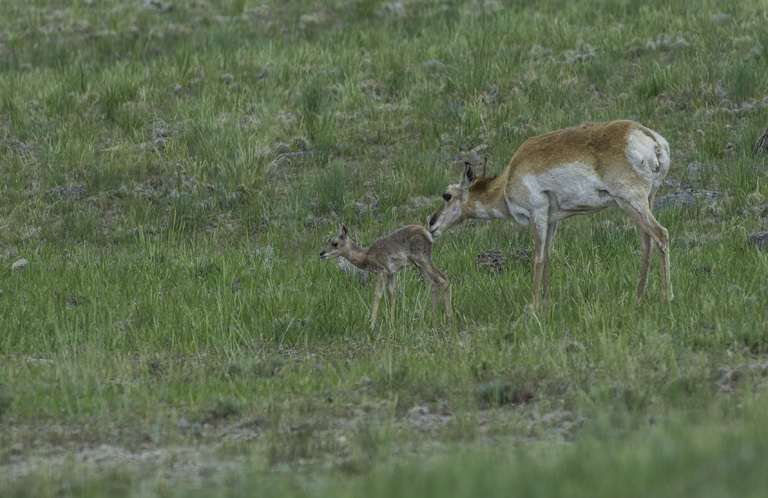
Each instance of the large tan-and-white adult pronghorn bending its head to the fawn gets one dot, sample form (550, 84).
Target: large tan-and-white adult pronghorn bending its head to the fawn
(578, 170)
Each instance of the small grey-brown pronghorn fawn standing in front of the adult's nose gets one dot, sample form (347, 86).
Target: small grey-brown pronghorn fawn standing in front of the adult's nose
(388, 255)
